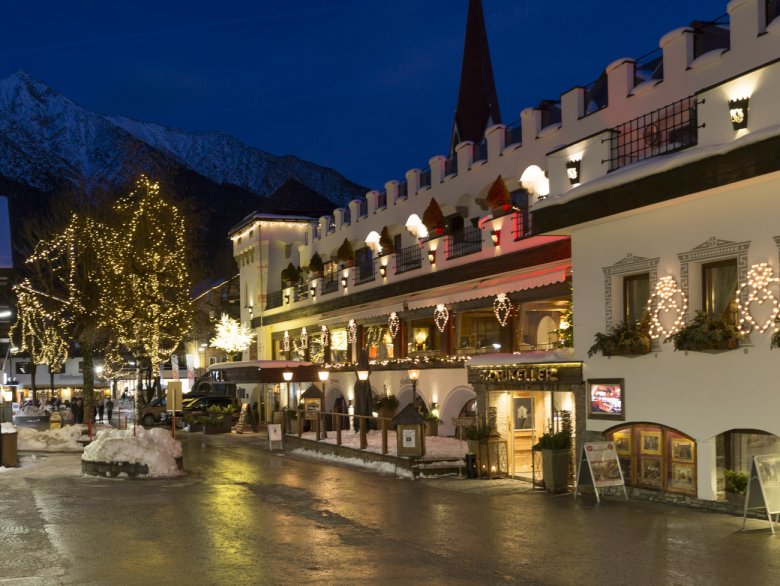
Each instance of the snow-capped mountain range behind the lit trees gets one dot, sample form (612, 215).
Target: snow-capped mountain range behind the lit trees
(47, 141)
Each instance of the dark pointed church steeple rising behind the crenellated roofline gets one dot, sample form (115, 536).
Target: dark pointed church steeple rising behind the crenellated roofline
(477, 107)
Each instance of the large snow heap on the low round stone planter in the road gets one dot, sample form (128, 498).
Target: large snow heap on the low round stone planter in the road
(153, 447)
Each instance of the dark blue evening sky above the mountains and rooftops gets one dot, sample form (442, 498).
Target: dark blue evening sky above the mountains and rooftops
(367, 87)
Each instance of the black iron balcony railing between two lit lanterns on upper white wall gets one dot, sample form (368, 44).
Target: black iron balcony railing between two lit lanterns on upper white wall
(666, 130)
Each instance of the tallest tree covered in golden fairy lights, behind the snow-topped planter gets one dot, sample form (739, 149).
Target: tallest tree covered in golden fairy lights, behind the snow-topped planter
(149, 278)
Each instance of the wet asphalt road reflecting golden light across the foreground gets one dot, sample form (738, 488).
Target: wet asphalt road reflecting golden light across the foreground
(242, 515)
